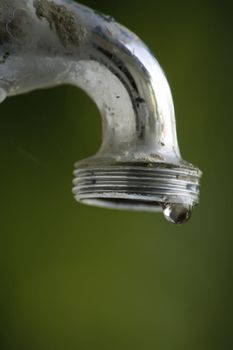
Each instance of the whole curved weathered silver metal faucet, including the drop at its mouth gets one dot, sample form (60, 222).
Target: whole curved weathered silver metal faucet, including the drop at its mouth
(46, 43)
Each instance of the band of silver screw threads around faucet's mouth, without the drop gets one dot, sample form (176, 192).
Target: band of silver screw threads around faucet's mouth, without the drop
(161, 184)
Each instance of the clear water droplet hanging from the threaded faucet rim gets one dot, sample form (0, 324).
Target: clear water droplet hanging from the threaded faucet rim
(177, 213)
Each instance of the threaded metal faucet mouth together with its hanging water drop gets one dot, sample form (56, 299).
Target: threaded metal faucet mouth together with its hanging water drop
(157, 187)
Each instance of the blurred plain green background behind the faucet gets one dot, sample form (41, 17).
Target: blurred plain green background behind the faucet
(76, 277)
